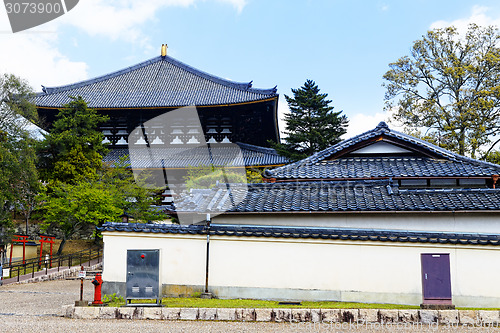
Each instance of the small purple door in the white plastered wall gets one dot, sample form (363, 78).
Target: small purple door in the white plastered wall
(436, 282)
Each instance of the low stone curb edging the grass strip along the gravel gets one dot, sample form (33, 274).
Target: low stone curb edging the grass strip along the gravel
(360, 316)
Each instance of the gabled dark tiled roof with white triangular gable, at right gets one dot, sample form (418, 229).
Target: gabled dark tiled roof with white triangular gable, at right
(429, 160)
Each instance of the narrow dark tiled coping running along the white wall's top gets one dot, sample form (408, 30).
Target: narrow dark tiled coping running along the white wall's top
(310, 233)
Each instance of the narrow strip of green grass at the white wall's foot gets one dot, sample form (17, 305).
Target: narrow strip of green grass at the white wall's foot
(193, 302)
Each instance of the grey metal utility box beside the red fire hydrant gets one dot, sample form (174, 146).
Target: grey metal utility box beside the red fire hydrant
(143, 275)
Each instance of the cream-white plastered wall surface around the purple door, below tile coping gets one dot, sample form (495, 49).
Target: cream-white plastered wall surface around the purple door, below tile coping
(270, 268)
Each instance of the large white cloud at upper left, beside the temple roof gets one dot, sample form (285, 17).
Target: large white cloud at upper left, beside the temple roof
(35, 55)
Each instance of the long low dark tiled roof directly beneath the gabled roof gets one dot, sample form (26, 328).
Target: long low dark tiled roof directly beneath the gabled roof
(338, 196)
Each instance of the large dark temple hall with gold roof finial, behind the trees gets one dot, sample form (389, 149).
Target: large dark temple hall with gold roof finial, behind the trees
(227, 112)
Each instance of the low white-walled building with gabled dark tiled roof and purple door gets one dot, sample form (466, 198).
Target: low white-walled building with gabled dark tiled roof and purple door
(382, 217)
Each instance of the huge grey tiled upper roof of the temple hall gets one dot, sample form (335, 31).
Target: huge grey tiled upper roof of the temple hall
(158, 82)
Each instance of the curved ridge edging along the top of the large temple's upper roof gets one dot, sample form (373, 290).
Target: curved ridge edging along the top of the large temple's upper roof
(236, 85)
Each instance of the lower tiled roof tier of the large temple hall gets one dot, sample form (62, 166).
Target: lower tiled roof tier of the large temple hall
(221, 156)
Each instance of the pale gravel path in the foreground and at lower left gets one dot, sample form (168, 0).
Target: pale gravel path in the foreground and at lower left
(36, 307)
